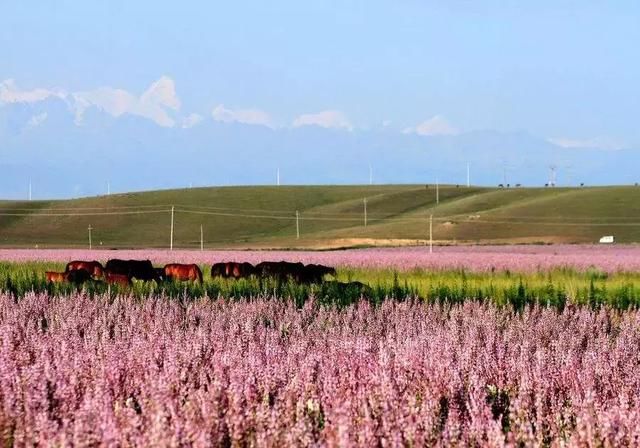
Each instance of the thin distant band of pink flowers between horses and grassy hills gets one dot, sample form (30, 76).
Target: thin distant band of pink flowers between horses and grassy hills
(475, 258)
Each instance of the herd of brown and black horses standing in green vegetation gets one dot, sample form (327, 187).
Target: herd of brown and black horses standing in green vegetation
(123, 272)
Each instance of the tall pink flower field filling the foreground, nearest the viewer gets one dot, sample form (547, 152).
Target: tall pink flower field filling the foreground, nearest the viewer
(125, 372)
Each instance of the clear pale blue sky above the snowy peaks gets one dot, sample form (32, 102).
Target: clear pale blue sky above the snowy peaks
(558, 69)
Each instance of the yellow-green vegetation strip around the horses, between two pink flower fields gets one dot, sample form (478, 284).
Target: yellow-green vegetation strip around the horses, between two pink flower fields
(558, 288)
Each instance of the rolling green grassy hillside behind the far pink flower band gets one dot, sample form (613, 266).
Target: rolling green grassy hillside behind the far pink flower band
(330, 216)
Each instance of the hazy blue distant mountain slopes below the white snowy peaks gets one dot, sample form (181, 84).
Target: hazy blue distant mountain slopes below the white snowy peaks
(45, 142)
